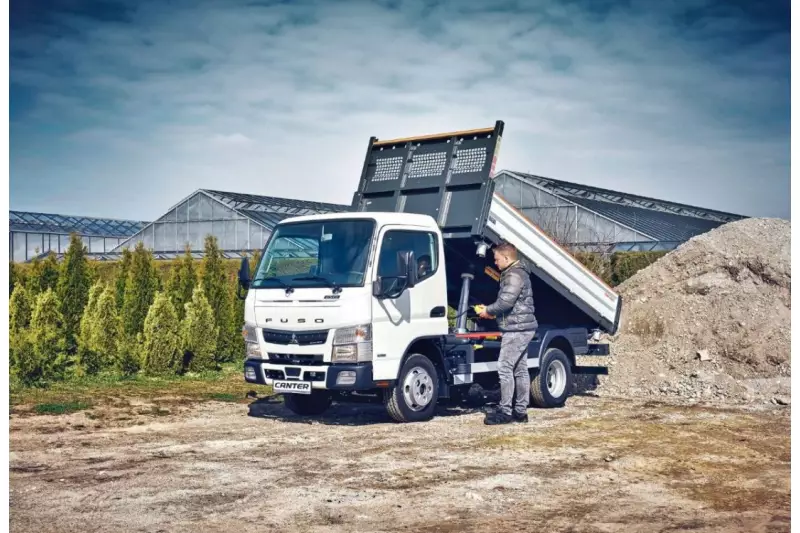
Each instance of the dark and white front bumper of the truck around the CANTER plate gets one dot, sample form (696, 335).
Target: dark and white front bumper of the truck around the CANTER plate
(320, 376)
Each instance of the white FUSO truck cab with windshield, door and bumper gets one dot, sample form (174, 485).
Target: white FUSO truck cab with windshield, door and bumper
(336, 301)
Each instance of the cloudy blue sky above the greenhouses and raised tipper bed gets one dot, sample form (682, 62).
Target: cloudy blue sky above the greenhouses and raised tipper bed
(121, 109)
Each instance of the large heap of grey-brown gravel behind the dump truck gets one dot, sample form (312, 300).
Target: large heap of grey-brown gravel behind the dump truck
(710, 320)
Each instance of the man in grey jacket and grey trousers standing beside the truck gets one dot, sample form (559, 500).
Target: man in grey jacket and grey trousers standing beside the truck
(514, 311)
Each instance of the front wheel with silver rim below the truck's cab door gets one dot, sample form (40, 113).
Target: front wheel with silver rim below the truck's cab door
(414, 397)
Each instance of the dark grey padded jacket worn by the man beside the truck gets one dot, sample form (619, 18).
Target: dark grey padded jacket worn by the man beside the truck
(514, 306)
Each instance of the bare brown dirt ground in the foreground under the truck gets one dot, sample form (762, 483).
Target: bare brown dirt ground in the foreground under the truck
(596, 465)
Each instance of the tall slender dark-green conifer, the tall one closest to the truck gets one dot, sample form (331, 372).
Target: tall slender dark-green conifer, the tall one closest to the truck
(215, 287)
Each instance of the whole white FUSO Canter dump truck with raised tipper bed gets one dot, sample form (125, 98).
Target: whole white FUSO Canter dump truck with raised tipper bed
(354, 306)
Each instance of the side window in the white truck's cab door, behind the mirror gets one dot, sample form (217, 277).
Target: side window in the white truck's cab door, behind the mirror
(422, 243)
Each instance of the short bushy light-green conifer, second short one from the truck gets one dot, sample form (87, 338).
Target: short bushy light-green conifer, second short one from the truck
(161, 338)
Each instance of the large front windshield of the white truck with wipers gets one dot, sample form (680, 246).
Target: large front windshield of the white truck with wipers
(330, 253)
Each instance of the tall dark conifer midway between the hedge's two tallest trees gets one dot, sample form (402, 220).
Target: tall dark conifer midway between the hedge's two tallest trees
(140, 289)
